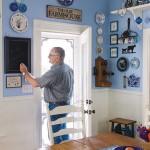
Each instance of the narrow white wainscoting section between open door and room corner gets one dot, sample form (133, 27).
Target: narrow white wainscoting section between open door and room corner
(100, 105)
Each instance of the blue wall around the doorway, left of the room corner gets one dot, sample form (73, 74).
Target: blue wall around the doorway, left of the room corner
(36, 9)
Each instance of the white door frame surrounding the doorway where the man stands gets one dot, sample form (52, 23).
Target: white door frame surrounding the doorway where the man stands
(57, 27)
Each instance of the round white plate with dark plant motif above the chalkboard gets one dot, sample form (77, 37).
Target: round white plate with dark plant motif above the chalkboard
(19, 22)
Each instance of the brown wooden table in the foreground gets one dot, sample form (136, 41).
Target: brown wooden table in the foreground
(99, 142)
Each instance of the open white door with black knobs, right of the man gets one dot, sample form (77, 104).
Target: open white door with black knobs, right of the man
(85, 77)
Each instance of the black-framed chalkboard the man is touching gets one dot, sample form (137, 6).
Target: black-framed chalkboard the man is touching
(16, 50)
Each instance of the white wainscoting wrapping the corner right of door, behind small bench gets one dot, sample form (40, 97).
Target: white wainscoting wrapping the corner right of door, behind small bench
(109, 103)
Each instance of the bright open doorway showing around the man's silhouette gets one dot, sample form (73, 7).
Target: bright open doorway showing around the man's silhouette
(47, 43)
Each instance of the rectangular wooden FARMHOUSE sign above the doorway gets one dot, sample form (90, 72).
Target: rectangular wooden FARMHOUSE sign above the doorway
(64, 13)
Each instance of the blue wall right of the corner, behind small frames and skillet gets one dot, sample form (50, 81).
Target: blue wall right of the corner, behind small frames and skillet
(117, 79)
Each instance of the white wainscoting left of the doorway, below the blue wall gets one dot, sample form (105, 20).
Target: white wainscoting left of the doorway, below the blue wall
(17, 124)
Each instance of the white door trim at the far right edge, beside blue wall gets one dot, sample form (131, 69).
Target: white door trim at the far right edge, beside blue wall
(146, 74)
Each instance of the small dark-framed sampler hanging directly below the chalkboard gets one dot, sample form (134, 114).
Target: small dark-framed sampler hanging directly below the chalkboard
(13, 81)
